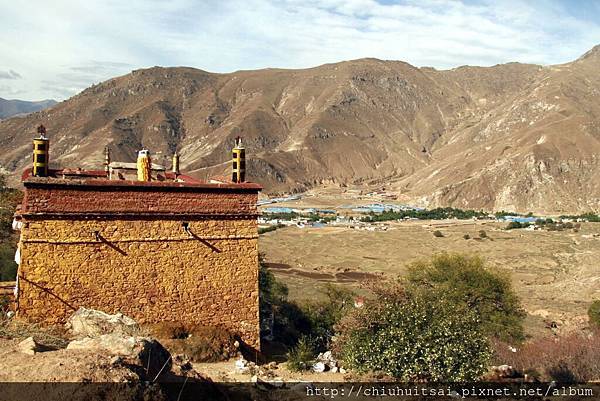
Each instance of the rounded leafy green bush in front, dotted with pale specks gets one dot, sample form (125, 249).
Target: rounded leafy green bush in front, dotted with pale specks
(413, 338)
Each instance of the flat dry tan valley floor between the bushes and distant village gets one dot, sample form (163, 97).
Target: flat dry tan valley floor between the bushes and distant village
(556, 273)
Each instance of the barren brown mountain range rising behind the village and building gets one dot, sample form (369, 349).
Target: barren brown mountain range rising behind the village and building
(513, 136)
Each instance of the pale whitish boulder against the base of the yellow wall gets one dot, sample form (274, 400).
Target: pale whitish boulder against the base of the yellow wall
(92, 323)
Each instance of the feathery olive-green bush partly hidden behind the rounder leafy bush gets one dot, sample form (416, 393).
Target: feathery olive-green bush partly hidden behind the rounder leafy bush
(465, 281)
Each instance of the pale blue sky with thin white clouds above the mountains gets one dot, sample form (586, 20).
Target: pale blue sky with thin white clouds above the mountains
(54, 49)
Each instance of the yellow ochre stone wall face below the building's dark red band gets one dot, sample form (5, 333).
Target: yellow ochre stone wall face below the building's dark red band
(148, 269)
